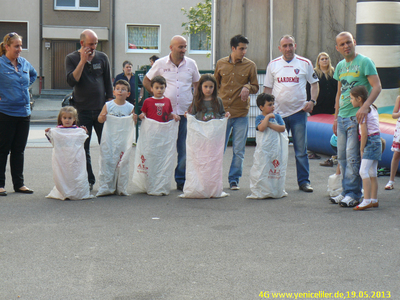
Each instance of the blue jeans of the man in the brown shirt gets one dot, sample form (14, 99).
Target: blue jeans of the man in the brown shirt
(239, 127)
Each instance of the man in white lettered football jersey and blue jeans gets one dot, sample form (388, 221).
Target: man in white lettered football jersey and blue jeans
(286, 79)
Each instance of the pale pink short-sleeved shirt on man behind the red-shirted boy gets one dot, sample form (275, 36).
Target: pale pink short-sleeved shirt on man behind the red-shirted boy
(179, 81)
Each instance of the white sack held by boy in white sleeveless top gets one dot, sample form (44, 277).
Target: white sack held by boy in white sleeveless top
(115, 149)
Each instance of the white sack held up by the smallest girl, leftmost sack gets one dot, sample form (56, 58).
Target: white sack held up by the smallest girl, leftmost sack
(69, 164)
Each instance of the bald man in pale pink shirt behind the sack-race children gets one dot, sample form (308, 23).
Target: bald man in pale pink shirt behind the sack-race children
(181, 74)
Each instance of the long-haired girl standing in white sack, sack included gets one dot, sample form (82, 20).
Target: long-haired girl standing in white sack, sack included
(205, 142)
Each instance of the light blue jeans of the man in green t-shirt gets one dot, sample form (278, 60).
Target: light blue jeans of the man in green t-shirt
(349, 156)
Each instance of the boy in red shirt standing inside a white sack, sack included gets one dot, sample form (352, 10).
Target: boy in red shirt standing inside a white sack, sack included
(156, 147)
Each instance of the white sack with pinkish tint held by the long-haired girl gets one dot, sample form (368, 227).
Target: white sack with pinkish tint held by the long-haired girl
(205, 144)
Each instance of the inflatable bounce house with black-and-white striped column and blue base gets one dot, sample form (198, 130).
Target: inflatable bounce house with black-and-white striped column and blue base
(378, 37)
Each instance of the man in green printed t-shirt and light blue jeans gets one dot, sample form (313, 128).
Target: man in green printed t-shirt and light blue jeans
(355, 69)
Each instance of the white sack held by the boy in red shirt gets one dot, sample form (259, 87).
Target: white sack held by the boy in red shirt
(155, 157)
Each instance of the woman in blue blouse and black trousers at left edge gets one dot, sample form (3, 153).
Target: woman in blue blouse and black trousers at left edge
(16, 75)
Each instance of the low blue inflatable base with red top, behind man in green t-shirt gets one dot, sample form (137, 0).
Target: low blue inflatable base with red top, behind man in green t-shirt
(319, 132)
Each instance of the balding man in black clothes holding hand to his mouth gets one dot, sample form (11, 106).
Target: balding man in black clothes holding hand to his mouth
(89, 74)
